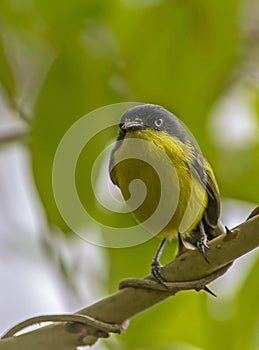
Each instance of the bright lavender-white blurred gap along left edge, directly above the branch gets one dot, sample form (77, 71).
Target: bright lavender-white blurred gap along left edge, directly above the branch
(27, 282)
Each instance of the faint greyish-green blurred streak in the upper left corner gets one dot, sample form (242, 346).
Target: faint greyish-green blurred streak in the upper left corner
(29, 59)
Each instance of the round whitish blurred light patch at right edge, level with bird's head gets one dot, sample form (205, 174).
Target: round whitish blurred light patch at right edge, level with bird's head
(233, 121)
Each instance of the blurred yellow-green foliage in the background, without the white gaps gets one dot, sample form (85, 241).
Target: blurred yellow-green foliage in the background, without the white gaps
(60, 60)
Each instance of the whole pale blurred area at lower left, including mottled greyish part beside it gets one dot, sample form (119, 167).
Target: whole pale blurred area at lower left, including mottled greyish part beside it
(32, 281)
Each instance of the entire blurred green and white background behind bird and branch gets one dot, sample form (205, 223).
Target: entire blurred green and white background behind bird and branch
(62, 59)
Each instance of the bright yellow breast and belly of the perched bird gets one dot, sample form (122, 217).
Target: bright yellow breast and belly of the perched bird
(157, 184)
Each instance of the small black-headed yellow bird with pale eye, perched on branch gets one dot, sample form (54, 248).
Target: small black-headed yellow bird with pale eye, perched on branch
(180, 196)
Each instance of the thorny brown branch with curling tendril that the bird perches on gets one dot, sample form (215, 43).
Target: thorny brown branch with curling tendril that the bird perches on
(188, 270)
